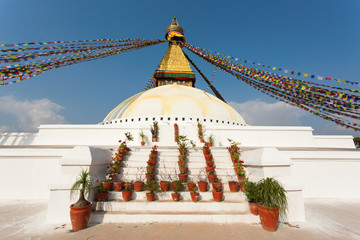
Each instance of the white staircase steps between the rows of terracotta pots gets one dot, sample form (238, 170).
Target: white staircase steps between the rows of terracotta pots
(233, 208)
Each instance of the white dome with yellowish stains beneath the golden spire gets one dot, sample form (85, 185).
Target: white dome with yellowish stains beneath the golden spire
(175, 101)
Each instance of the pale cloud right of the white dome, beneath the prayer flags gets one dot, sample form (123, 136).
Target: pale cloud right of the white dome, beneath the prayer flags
(259, 113)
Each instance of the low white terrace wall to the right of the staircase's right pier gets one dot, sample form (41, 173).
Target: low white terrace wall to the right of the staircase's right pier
(328, 174)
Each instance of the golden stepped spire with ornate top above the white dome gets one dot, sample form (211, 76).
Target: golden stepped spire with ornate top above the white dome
(174, 67)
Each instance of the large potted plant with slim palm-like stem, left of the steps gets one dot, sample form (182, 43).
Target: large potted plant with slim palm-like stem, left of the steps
(81, 210)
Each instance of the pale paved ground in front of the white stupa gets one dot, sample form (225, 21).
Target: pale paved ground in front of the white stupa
(326, 219)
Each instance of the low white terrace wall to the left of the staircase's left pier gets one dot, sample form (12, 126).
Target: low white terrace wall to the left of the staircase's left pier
(25, 173)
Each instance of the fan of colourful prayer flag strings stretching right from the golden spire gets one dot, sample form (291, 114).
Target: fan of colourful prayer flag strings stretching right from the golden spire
(341, 107)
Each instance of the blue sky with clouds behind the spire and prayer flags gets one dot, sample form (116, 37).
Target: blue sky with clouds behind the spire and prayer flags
(321, 37)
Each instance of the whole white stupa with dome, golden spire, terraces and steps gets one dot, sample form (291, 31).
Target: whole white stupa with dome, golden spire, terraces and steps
(46, 163)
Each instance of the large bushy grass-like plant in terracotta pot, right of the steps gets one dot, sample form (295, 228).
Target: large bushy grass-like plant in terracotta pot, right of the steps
(272, 202)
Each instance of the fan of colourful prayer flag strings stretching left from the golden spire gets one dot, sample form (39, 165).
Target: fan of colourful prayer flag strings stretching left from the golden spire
(32, 61)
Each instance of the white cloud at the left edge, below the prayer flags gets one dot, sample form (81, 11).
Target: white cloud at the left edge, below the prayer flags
(29, 115)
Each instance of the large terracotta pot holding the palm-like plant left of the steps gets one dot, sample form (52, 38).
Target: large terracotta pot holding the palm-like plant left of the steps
(80, 216)
